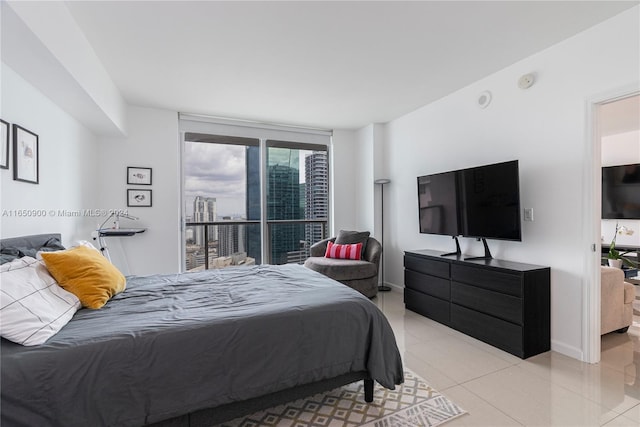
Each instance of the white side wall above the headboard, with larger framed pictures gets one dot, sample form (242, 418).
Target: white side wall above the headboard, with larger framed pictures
(69, 167)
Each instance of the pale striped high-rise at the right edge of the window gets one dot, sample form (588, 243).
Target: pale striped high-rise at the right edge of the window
(316, 194)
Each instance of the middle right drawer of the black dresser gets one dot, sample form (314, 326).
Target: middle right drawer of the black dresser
(505, 307)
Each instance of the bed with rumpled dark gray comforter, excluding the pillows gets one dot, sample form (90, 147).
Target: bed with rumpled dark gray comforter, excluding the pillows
(198, 349)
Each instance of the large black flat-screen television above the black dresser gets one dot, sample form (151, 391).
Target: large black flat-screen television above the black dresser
(481, 202)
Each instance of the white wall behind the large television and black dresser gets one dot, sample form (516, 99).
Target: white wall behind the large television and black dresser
(546, 129)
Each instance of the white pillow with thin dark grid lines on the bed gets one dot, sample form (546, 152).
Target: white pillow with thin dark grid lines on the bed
(33, 307)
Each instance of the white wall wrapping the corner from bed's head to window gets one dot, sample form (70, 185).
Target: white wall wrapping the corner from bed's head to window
(80, 172)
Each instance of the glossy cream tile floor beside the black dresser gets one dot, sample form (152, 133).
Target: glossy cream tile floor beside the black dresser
(498, 389)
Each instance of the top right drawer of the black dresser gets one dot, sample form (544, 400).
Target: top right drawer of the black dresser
(492, 280)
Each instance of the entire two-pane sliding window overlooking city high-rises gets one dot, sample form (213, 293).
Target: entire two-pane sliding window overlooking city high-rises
(251, 200)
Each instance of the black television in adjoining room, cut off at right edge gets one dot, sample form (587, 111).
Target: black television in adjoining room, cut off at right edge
(621, 192)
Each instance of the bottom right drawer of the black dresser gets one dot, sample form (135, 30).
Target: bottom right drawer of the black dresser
(498, 333)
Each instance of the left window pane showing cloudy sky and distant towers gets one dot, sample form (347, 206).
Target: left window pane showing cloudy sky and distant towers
(217, 185)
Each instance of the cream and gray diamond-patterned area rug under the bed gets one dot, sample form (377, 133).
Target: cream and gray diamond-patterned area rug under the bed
(412, 404)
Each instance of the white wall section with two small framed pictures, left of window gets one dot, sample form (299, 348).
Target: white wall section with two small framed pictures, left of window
(152, 142)
